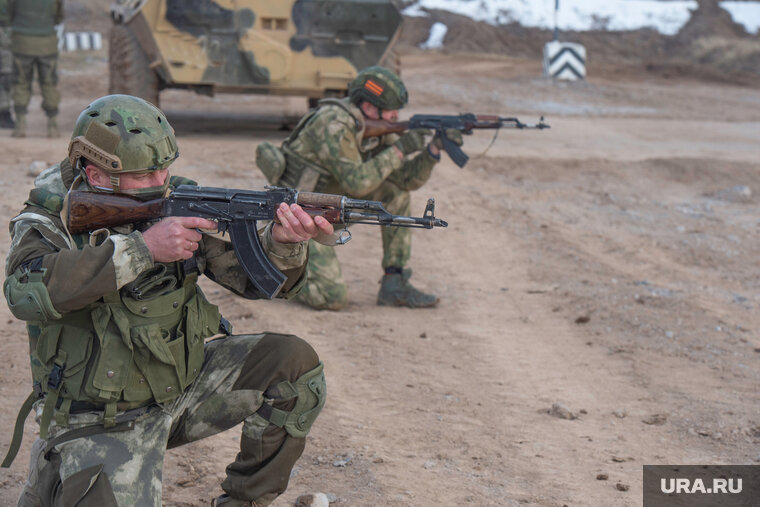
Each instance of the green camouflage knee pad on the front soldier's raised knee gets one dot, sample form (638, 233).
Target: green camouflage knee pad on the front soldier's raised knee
(309, 391)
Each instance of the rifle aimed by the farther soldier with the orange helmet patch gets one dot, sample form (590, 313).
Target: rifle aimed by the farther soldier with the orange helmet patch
(464, 123)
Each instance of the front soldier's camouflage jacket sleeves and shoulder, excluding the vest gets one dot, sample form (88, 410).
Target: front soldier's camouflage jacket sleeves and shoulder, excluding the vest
(78, 275)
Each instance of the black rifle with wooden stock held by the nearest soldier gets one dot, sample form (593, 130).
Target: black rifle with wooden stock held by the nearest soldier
(236, 212)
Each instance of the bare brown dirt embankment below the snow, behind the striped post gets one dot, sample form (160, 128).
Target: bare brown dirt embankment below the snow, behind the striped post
(711, 46)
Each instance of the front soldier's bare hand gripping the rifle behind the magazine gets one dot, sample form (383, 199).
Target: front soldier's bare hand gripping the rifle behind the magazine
(175, 238)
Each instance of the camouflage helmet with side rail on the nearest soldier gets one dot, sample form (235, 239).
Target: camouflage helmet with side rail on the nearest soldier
(123, 134)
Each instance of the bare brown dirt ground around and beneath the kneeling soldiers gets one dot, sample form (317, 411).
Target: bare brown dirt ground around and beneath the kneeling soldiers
(606, 267)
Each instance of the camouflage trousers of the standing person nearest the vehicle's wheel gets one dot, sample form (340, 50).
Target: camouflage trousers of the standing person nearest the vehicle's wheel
(47, 76)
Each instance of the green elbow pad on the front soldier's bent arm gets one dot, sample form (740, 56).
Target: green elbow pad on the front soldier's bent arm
(28, 297)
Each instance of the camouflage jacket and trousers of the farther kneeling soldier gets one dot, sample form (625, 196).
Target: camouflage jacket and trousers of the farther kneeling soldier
(331, 141)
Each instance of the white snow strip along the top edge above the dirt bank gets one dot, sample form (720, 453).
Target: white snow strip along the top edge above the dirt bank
(579, 15)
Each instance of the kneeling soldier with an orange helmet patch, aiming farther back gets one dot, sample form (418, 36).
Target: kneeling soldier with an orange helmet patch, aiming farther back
(327, 153)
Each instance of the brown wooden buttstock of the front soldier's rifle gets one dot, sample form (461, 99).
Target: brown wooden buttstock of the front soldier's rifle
(89, 211)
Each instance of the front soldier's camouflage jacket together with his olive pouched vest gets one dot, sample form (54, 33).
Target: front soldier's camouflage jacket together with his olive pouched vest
(123, 331)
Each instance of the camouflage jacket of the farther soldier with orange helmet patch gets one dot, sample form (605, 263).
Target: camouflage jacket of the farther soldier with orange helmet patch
(332, 139)
